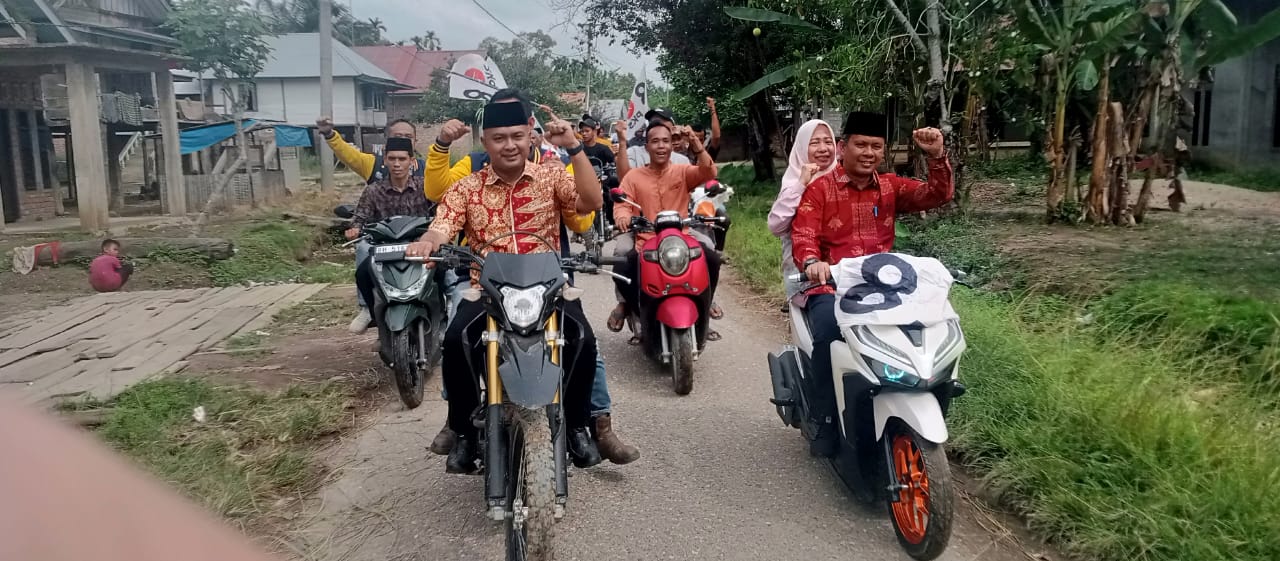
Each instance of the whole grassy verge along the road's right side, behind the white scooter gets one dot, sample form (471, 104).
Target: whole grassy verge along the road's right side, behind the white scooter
(1123, 396)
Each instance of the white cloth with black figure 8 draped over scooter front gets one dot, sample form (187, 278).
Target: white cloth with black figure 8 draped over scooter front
(893, 290)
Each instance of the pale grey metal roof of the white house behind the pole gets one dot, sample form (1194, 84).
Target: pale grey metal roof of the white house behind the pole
(298, 56)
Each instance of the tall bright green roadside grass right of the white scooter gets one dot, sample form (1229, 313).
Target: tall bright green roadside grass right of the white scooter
(1108, 449)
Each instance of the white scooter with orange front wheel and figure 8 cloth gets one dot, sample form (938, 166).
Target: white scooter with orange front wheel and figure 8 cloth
(895, 376)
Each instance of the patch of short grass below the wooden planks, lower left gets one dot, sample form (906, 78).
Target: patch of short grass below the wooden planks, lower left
(252, 449)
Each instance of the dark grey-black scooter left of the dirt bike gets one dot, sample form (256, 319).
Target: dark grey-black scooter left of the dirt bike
(409, 307)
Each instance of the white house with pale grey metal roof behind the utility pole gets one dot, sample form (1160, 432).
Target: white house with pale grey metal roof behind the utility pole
(289, 88)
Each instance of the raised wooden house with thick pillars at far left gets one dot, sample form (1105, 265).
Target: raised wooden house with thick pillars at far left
(83, 81)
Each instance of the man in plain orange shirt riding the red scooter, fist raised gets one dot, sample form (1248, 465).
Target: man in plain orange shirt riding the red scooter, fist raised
(656, 188)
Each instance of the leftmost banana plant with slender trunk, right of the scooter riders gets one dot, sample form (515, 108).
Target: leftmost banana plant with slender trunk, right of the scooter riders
(1062, 30)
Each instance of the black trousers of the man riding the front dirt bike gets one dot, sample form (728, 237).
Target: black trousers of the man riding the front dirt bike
(464, 362)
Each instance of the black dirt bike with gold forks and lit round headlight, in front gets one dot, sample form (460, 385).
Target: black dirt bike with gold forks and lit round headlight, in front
(523, 431)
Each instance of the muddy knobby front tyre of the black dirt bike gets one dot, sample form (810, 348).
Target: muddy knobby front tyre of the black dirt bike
(532, 489)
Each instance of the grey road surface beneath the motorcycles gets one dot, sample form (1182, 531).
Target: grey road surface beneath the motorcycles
(720, 477)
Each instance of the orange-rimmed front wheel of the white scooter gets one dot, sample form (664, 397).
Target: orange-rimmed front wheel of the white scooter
(922, 507)
